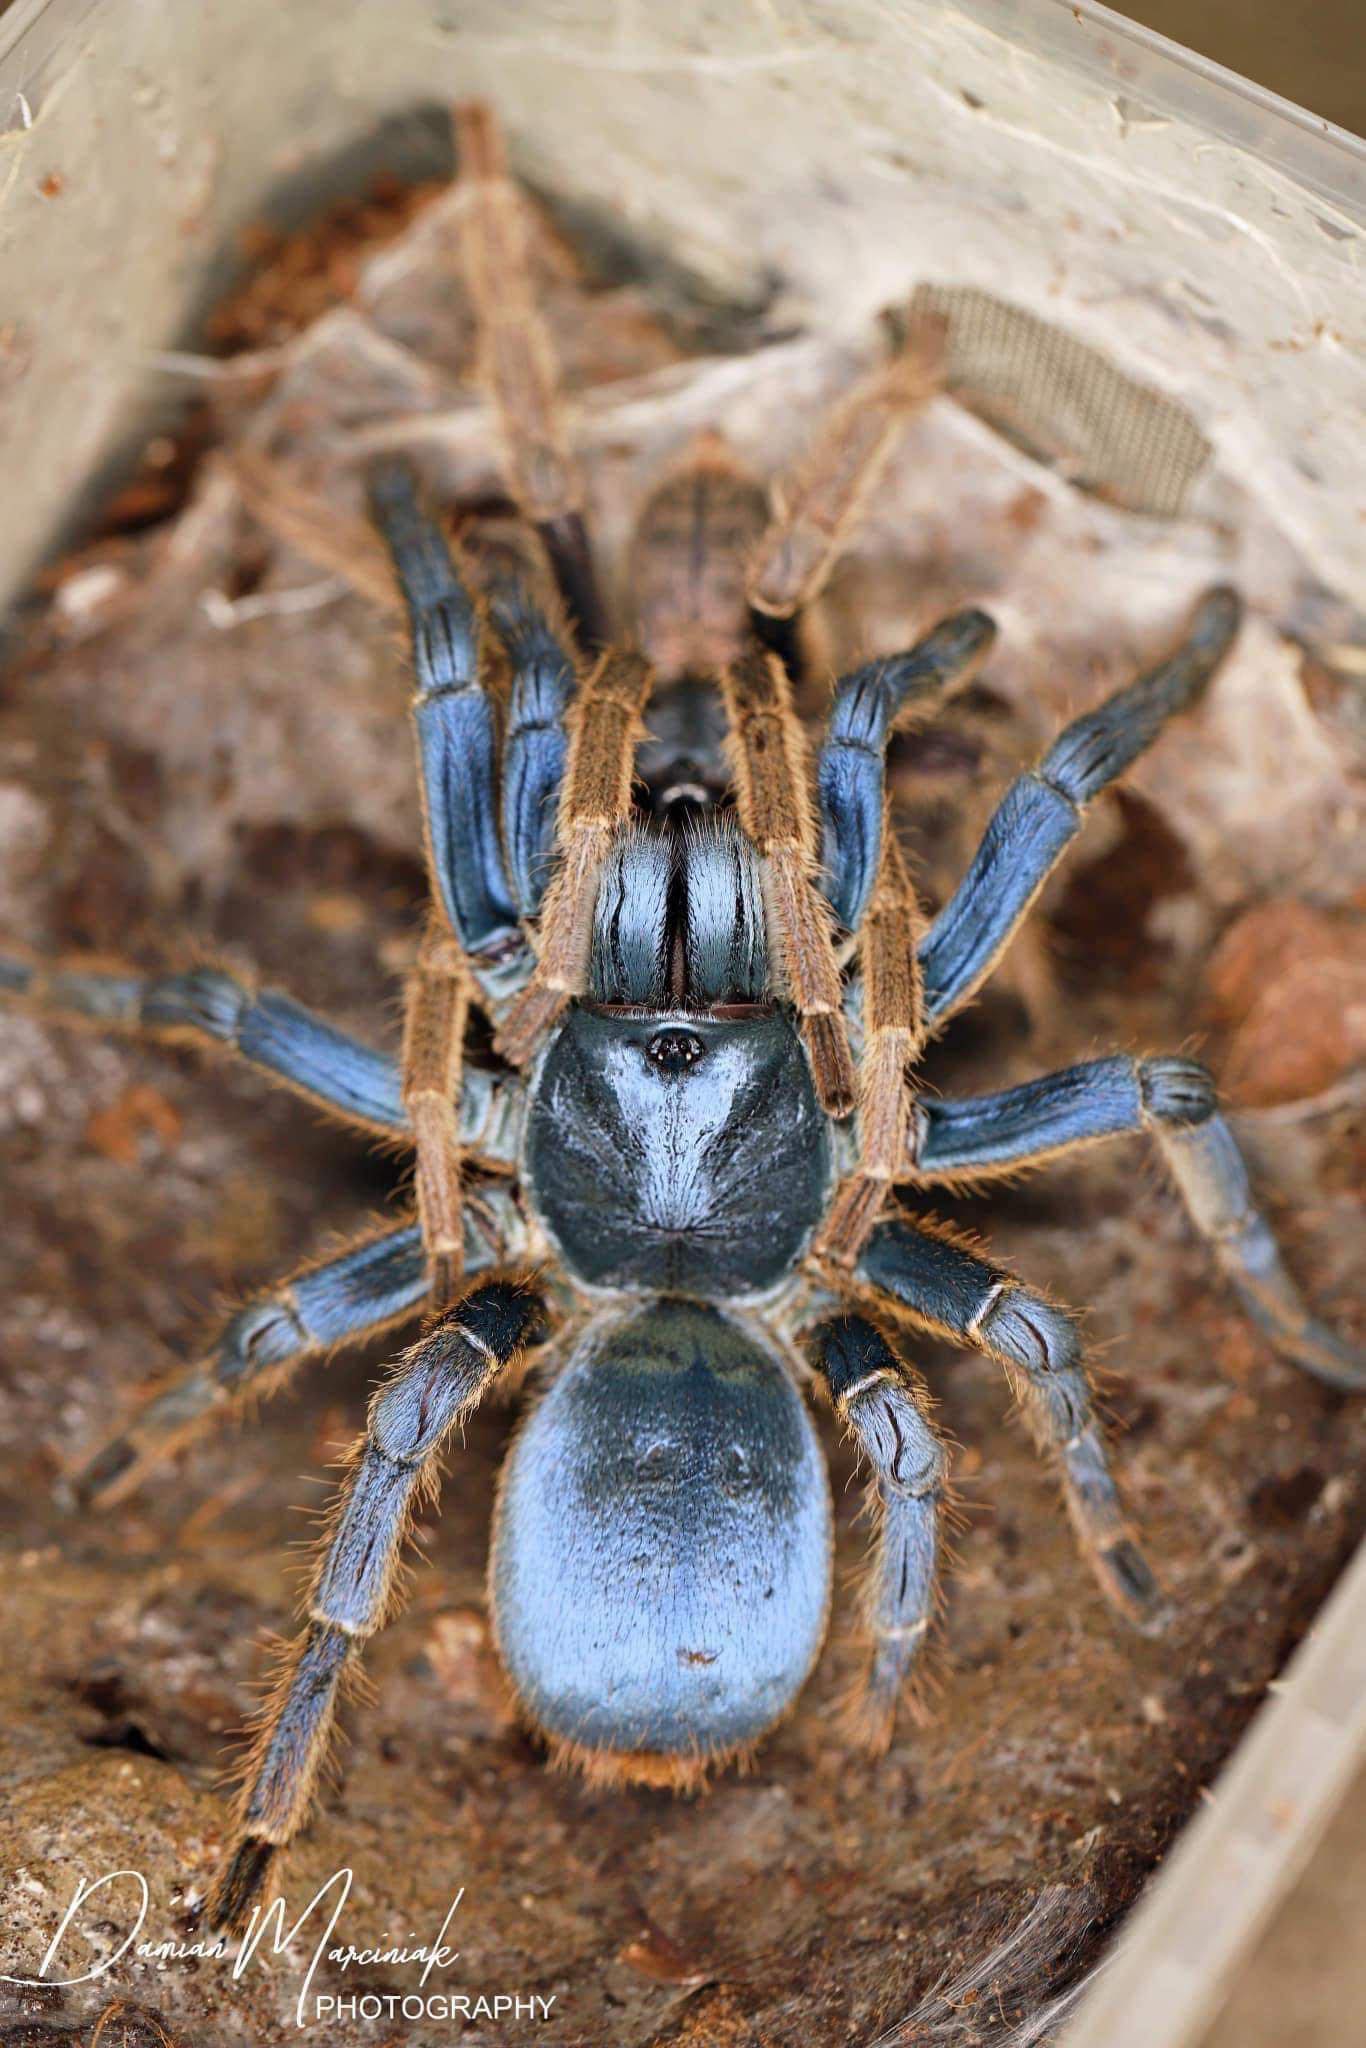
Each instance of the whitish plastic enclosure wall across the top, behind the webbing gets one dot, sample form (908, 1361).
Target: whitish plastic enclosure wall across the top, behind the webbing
(1197, 230)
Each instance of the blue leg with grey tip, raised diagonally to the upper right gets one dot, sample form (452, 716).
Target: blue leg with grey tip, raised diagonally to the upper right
(1041, 814)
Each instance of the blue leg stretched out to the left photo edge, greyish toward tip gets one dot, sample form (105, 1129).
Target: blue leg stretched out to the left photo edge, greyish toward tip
(214, 1009)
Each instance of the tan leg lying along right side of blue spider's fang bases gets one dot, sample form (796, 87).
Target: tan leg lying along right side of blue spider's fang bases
(769, 759)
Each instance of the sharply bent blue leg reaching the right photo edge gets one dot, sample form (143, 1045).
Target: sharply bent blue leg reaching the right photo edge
(1172, 1099)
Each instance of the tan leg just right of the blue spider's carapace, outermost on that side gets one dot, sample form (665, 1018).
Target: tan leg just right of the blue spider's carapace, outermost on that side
(894, 1035)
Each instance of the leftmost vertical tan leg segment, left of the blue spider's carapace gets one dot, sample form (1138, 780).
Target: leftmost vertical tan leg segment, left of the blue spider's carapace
(433, 1056)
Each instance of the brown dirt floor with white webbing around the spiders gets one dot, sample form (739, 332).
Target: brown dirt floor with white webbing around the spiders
(204, 744)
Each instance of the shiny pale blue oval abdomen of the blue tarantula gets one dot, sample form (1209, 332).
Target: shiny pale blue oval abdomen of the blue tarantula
(660, 1568)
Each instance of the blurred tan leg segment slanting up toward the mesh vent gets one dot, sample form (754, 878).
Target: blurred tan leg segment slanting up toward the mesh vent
(818, 507)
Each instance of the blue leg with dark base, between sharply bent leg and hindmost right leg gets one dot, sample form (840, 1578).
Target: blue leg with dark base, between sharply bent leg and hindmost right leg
(955, 1293)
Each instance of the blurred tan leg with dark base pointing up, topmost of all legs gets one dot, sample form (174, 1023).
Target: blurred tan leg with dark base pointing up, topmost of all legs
(517, 366)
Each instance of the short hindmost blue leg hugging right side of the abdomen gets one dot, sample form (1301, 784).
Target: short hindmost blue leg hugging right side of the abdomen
(888, 1414)
